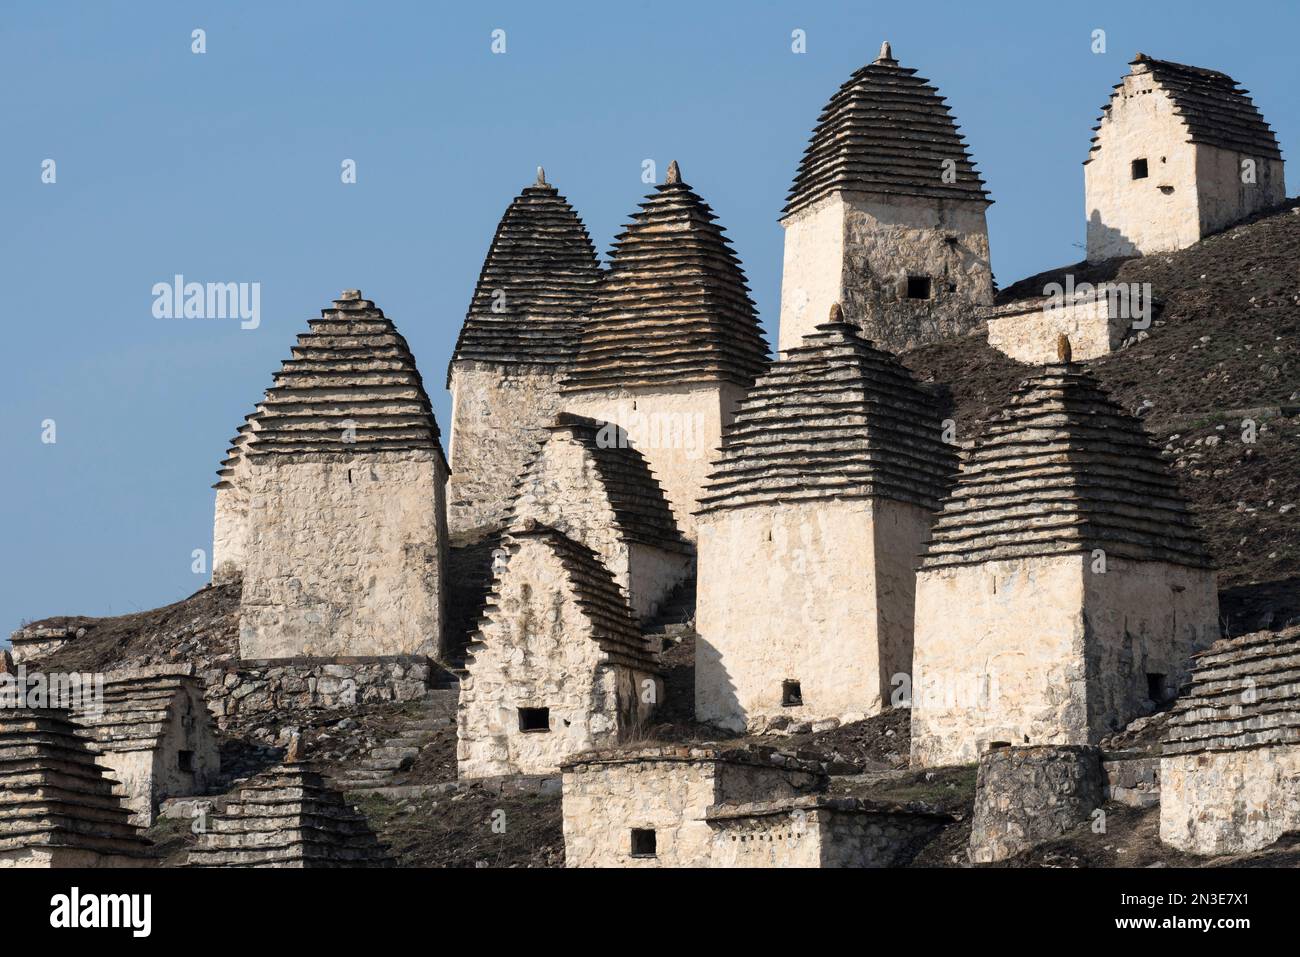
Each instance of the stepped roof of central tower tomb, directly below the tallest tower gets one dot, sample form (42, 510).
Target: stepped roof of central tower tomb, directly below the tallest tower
(838, 418)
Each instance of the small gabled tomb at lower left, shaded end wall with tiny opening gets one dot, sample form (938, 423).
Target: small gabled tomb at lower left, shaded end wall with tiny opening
(153, 731)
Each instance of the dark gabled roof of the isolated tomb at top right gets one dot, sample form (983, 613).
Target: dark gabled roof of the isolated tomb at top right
(1214, 107)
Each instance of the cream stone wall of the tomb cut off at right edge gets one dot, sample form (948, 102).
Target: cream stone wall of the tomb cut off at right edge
(1229, 803)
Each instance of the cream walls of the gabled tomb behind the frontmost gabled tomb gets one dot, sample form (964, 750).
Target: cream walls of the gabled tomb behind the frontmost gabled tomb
(565, 493)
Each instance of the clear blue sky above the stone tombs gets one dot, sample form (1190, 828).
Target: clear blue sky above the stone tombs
(226, 167)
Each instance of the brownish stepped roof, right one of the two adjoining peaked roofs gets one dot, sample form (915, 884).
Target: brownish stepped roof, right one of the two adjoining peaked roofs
(674, 306)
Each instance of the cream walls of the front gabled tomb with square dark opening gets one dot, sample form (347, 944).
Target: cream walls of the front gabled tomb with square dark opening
(539, 652)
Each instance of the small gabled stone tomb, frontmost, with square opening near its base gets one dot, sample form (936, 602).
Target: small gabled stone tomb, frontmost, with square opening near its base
(558, 664)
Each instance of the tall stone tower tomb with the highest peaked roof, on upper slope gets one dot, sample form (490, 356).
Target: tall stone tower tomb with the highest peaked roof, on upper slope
(886, 216)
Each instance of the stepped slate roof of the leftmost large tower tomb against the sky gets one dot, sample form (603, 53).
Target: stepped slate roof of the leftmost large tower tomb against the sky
(350, 386)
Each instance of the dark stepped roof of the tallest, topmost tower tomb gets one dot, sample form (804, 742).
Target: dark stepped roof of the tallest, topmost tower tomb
(886, 131)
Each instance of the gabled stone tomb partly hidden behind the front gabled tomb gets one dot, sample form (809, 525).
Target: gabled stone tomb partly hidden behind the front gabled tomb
(590, 483)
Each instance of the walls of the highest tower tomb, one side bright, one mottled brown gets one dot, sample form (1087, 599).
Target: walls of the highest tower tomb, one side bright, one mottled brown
(860, 249)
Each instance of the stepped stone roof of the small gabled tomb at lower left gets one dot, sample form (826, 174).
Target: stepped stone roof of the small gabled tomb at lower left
(137, 709)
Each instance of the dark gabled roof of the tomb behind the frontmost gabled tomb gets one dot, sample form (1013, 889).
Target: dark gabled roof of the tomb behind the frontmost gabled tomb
(642, 512)
